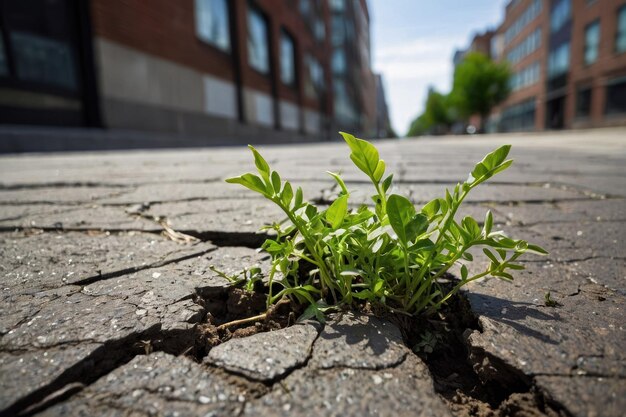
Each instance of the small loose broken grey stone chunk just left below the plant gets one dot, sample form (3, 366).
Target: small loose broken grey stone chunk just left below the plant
(266, 356)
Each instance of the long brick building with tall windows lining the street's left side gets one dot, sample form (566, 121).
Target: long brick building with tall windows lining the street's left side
(213, 68)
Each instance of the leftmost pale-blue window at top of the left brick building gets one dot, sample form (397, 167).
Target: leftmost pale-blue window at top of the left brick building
(212, 23)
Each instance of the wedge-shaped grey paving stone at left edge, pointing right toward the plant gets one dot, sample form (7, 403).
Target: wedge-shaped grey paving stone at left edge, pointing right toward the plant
(53, 259)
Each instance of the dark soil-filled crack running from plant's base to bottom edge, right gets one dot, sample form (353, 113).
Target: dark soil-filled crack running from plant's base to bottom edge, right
(440, 341)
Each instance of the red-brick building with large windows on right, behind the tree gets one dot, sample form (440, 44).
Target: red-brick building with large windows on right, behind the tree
(568, 59)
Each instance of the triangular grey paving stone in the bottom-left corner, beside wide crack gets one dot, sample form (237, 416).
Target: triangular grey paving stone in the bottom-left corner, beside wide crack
(23, 373)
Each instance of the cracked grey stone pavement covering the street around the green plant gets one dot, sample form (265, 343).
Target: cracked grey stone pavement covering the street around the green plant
(100, 303)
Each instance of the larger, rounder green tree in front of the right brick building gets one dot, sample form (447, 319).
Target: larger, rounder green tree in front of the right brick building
(479, 85)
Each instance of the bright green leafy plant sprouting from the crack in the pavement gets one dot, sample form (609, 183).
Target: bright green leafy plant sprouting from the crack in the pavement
(392, 255)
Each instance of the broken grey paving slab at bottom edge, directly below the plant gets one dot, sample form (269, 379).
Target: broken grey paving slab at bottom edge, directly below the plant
(405, 390)
